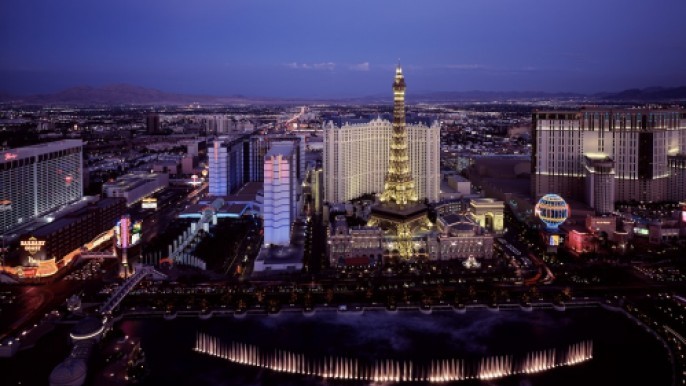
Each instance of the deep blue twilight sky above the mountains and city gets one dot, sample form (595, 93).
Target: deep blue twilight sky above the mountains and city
(336, 48)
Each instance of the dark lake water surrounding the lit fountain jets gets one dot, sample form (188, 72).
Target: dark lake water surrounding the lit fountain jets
(624, 352)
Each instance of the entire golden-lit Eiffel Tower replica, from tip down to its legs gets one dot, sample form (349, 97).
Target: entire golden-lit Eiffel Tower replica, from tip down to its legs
(400, 214)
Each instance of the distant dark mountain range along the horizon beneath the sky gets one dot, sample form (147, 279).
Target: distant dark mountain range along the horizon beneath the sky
(125, 94)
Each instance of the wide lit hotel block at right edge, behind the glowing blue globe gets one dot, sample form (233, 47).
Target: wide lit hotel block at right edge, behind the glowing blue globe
(601, 156)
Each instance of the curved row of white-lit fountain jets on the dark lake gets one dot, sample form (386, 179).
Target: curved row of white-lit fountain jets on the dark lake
(391, 370)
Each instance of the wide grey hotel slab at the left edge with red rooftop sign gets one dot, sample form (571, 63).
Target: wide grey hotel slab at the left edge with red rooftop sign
(38, 179)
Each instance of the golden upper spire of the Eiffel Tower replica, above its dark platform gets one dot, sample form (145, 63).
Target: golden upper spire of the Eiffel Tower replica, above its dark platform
(399, 185)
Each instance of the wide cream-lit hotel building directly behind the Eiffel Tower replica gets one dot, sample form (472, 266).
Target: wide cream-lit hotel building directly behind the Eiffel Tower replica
(356, 158)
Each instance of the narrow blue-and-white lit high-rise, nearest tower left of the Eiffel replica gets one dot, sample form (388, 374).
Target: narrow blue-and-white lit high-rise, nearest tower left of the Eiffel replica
(280, 193)
